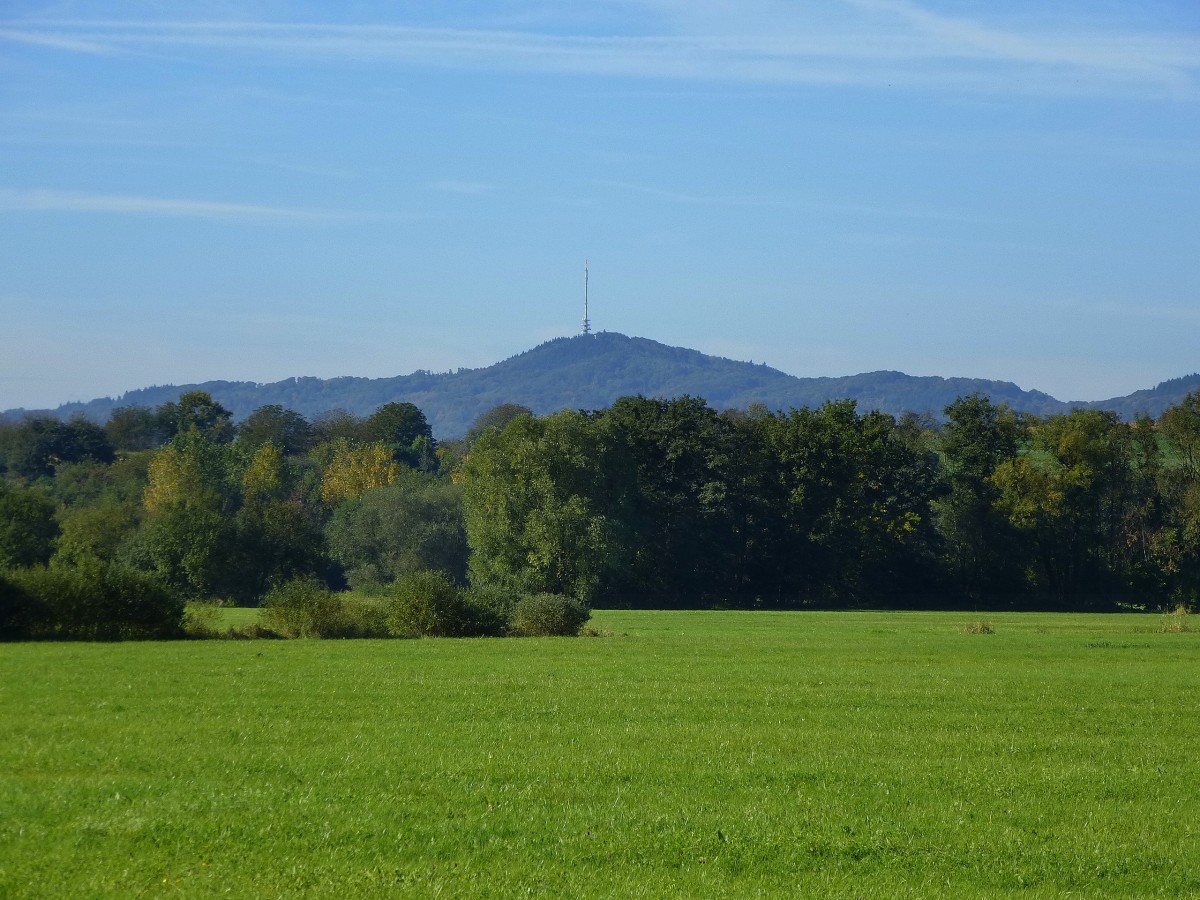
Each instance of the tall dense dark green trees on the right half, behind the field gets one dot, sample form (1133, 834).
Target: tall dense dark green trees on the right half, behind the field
(670, 503)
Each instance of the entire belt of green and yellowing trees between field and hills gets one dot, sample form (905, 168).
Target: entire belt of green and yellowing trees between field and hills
(657, 503)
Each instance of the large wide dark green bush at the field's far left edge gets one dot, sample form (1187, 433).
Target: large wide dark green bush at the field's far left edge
(98, 602)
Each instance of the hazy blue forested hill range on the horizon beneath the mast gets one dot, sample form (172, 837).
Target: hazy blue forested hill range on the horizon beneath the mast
(591, 371)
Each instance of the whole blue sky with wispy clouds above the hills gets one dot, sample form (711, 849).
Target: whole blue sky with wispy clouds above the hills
(261, 190)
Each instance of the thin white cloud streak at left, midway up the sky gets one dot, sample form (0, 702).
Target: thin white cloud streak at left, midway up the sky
(44, 201)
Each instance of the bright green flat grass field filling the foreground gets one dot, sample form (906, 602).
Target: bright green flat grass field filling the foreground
(691, 754)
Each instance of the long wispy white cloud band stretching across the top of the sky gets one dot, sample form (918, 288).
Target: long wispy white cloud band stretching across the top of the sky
(877, 43)
